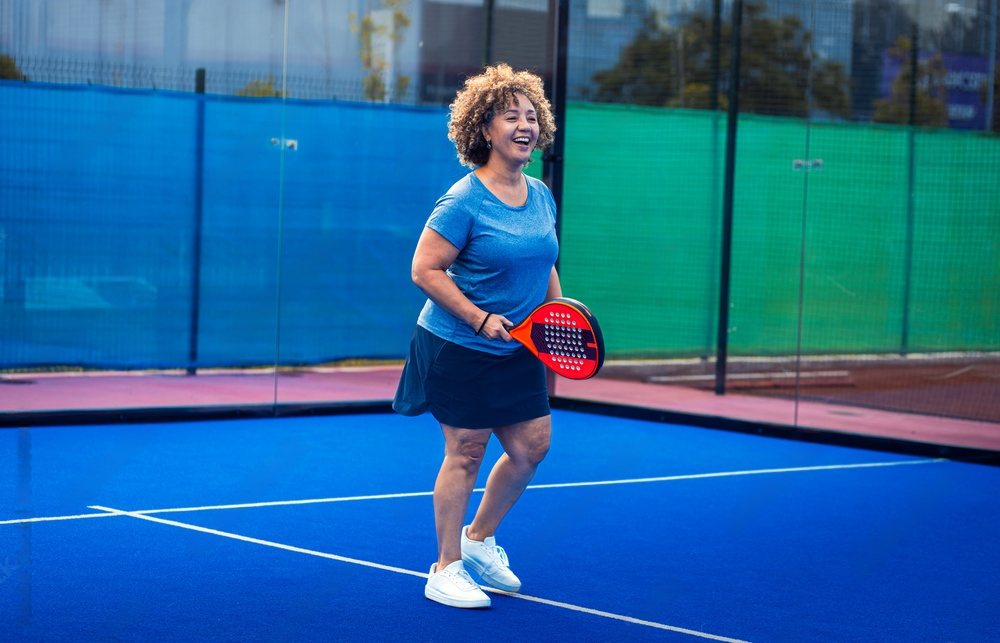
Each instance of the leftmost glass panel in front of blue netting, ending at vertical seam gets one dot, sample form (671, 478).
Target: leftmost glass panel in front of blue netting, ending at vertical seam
(140, 200)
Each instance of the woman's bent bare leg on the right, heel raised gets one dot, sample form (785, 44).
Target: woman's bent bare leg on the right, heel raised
(525, 445)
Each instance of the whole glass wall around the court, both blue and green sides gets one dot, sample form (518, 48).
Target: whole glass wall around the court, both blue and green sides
(243, 236)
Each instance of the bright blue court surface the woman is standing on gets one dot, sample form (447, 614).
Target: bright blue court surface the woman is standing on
(321, 529)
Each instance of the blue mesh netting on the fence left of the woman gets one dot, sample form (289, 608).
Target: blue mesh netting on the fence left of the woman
(98, 227)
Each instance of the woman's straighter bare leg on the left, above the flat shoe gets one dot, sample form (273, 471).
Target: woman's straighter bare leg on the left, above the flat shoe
(463, 454)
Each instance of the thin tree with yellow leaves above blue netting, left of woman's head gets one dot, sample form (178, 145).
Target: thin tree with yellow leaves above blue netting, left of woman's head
(369, 31)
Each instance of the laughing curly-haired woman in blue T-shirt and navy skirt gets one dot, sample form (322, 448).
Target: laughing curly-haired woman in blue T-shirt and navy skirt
(485, 259)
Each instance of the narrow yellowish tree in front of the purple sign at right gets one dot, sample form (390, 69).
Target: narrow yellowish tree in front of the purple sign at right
(930, 95)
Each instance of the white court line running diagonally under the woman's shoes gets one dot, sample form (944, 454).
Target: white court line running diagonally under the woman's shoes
(408, 572)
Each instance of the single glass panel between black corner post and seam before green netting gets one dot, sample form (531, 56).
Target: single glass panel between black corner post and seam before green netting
(655, 75)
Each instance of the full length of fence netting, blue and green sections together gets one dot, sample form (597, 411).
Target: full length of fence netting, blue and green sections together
(284, 231)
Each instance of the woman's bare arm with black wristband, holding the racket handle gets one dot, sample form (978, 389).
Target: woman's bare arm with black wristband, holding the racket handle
(431, 260)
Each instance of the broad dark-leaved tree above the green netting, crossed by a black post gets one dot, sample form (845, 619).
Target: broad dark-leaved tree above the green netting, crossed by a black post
(672, 67)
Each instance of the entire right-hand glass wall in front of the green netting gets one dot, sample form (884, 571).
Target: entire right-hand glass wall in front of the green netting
(864, 215)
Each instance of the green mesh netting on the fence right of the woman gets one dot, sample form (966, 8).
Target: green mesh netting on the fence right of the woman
(641, 234)
